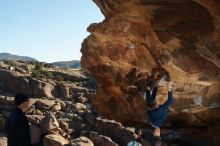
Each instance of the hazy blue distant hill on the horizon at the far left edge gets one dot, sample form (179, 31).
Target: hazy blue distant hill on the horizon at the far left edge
(7, 56)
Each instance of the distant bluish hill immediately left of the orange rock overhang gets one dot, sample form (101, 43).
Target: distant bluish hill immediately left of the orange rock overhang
(71, 64)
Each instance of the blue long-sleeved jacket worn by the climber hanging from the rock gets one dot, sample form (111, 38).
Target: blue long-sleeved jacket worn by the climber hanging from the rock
(156, 117)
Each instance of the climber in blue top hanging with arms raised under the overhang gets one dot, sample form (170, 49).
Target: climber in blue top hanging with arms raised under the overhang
(157, 113)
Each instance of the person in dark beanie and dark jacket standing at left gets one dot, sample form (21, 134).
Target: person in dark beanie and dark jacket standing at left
(18, 130)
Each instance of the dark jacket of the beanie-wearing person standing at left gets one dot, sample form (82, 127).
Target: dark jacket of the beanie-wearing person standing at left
(18, 129)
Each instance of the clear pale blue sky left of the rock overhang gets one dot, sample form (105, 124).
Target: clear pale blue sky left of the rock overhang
(48, 30)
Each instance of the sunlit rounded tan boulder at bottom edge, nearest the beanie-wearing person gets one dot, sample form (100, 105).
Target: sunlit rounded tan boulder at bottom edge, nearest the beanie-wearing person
(54, 140)
